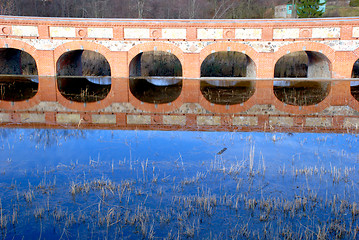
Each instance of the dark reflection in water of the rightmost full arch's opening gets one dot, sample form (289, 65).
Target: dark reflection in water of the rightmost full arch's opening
(301, 93)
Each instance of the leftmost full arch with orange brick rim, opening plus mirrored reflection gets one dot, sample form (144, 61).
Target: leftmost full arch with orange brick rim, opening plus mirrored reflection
(85, 69)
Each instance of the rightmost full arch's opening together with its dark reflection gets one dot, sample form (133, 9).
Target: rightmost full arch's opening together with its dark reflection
(302, 64)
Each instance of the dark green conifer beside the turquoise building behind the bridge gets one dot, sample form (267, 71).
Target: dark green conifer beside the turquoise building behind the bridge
(309, 8)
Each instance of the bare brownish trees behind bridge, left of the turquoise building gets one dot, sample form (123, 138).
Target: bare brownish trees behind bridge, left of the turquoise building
(154, 9)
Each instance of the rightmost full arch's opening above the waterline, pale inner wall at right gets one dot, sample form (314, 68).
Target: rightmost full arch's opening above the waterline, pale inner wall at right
(303, 64)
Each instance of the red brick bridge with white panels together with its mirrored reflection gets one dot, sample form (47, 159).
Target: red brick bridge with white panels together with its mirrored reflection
(120, 41)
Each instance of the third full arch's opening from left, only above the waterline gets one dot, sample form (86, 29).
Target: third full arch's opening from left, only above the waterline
(228, 64)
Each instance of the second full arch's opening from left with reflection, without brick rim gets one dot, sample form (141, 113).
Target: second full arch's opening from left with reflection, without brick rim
(156, 77)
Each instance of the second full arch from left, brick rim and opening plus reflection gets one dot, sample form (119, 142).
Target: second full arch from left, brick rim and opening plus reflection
(156, 76)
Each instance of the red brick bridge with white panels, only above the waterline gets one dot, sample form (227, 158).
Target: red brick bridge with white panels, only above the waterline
(337, 39)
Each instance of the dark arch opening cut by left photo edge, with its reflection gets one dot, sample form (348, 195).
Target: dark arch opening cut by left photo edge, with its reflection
(18, 75)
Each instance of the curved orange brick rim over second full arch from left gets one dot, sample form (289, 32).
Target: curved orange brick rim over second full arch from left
(155, 46)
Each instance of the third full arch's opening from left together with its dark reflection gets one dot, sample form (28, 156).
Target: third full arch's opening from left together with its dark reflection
(227, 64)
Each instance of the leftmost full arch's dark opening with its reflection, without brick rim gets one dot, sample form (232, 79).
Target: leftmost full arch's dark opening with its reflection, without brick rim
(83, 76)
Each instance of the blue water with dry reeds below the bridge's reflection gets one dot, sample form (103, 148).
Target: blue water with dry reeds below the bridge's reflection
(101, 184)
